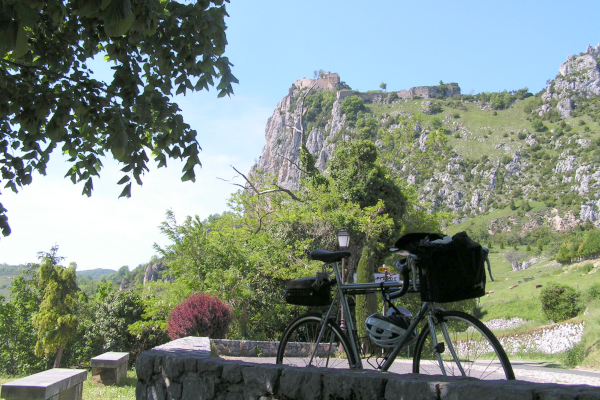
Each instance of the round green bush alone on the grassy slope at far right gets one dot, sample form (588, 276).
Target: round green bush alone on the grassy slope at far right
(560, 302)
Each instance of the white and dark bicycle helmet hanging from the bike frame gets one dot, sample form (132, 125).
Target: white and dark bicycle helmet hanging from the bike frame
(387, 331)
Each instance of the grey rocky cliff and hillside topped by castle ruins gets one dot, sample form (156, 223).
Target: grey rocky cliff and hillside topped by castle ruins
(467, 155)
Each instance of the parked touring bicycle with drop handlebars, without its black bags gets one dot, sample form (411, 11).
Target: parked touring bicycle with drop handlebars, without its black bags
(450, 343)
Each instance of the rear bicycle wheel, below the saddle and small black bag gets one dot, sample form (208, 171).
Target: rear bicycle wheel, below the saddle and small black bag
(299, 347)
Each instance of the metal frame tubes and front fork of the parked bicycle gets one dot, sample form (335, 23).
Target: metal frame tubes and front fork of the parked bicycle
(427, 311)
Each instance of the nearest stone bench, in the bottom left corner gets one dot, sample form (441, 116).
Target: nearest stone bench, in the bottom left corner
(43, 385)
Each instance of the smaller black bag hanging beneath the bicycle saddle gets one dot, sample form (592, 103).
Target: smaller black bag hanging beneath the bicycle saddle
(308, 292)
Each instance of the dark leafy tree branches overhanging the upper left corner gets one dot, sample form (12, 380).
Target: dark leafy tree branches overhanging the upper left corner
(52, 99)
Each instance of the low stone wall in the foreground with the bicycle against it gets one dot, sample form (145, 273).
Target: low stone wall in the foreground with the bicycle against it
(175, 372)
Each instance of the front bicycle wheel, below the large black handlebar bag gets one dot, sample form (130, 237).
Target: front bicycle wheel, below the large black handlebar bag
(477, 352)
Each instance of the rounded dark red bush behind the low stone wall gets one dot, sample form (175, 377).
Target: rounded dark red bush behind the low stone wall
(199, 315)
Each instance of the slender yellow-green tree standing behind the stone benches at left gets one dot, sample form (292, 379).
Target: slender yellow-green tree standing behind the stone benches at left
(56, 322)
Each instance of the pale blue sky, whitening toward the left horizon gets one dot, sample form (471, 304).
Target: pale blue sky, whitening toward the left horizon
(483, 46)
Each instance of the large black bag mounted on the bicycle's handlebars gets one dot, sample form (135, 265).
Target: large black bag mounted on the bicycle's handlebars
(448, 271)
